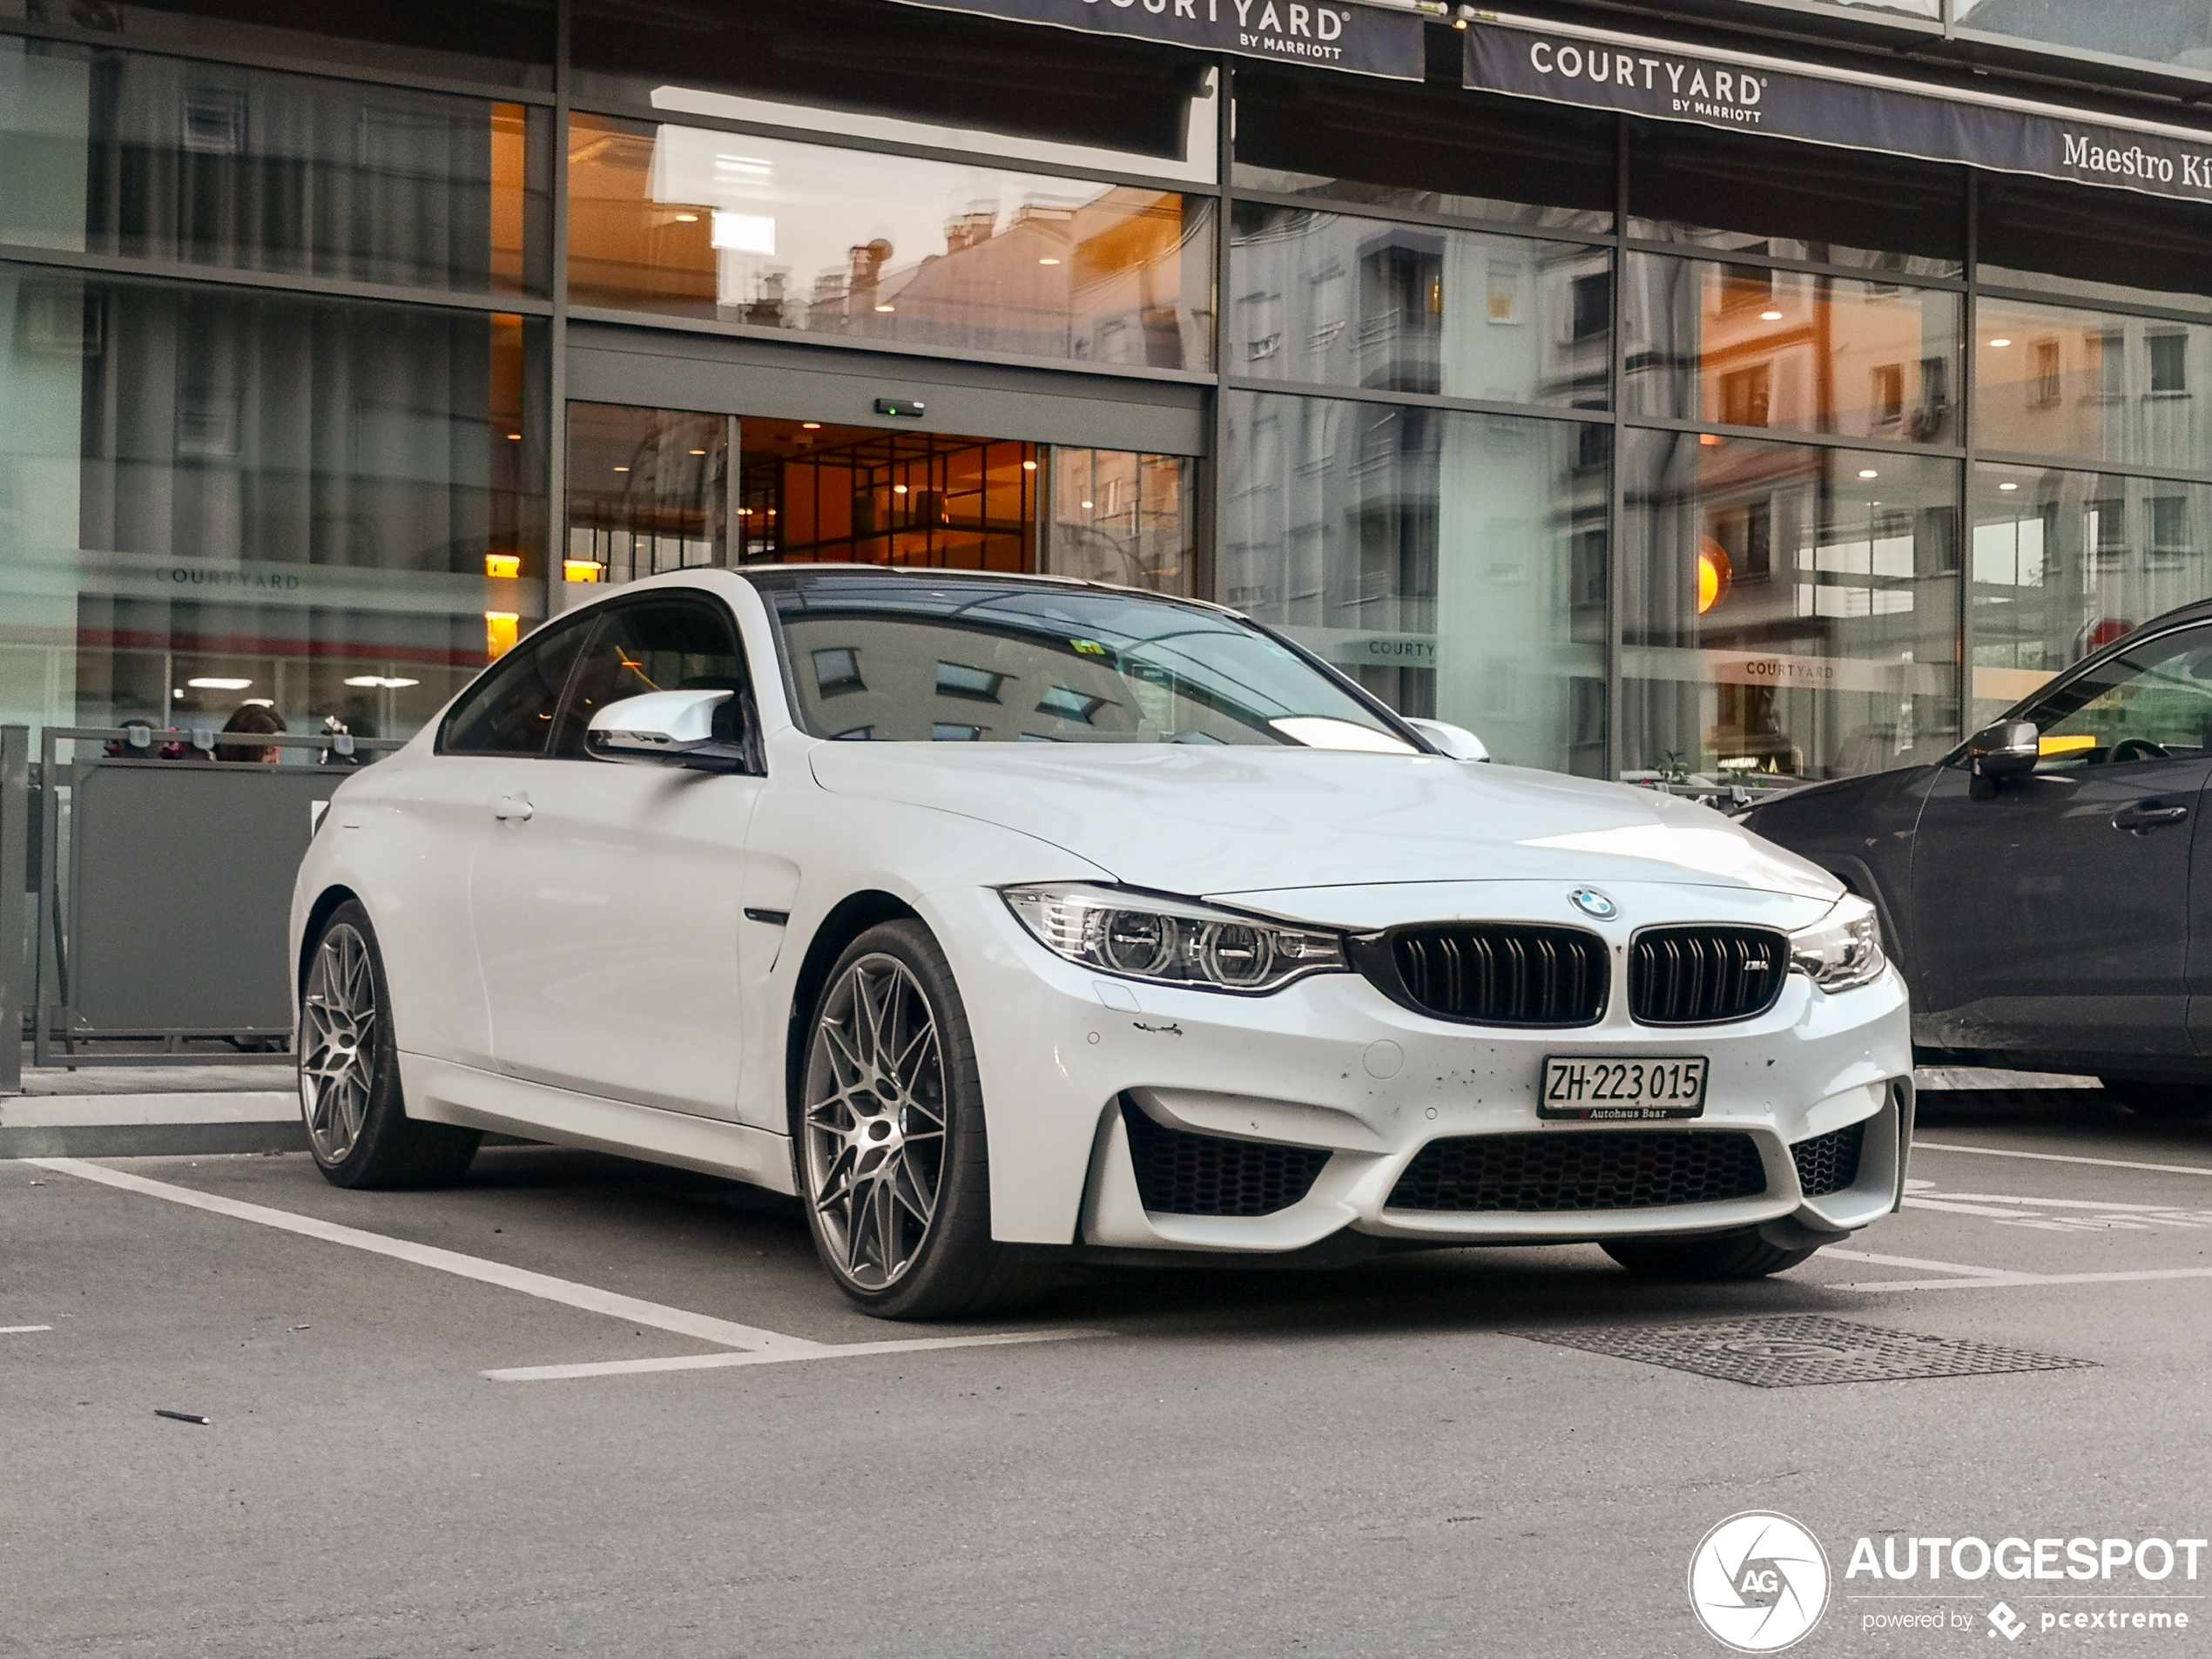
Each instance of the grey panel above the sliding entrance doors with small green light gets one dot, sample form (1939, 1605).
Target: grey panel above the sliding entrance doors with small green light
(744, 377)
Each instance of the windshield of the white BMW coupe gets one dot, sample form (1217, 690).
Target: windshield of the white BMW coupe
(917, 660)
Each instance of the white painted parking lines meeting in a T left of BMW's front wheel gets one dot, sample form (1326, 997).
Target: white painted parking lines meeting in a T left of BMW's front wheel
(760, 1346)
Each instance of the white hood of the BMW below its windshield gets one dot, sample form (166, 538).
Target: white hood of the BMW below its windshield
(1224, 822)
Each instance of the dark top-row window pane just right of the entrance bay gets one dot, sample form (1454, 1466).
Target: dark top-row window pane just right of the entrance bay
(1423, 149)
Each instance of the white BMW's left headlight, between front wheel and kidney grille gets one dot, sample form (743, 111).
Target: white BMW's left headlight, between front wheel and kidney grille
(1171, 941)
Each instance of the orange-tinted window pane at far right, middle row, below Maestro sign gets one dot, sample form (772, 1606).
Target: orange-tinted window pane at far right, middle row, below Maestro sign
(2091, 386)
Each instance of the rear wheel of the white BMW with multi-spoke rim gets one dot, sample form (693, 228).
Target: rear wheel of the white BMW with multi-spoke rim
(351, 1072)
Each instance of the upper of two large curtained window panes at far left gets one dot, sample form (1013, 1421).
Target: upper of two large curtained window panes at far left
(216, 165)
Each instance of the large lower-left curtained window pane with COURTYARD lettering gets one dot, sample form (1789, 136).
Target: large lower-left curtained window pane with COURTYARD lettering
(216, 497)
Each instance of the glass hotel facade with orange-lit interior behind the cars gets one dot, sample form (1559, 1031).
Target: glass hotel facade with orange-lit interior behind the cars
(337, 357)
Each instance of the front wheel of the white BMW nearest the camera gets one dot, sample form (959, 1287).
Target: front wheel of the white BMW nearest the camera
(888, 1138)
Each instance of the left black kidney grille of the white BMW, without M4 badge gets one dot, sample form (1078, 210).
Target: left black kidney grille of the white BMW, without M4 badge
(1503, 974)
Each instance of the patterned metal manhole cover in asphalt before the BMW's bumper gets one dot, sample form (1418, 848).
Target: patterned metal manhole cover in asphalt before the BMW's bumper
(1795, 1350)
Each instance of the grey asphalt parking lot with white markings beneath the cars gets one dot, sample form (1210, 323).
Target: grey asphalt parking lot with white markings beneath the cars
(594, 1408)
